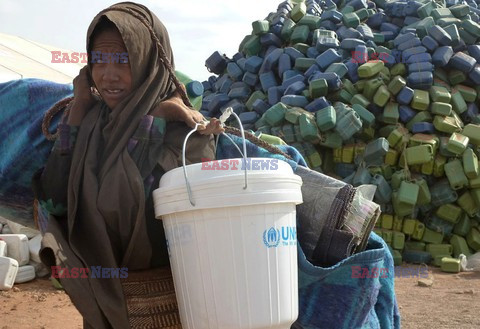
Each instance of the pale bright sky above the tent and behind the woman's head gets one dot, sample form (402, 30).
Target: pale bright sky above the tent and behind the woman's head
(197, 28)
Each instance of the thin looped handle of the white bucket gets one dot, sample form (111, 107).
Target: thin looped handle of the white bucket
(226, 114)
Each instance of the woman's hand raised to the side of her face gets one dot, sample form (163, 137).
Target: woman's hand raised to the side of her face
(83, 98)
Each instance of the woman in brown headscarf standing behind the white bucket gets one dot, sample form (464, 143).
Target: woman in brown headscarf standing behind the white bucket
(110, 154)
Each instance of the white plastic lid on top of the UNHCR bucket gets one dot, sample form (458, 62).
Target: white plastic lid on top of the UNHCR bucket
(220, 183)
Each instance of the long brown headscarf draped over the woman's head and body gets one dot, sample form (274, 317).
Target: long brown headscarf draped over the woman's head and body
(106, 197)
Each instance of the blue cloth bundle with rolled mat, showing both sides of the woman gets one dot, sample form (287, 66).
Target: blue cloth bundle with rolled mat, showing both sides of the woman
(334, 222)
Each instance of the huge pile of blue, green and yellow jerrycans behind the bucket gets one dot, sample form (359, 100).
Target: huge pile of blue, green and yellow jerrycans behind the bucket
(372, 92)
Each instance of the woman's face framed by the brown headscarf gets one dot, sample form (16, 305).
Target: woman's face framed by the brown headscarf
(111, 75)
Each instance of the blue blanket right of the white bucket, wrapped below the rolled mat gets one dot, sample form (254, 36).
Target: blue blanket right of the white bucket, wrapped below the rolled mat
(356, 292)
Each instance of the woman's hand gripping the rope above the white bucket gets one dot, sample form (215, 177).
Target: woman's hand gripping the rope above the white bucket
(173, 109)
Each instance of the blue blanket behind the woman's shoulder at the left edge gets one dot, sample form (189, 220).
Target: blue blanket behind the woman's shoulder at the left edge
(24, 149)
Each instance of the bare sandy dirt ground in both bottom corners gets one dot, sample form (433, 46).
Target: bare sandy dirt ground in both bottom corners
(453, 301)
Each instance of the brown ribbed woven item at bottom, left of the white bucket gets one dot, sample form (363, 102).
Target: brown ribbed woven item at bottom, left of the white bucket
(151, 301)
